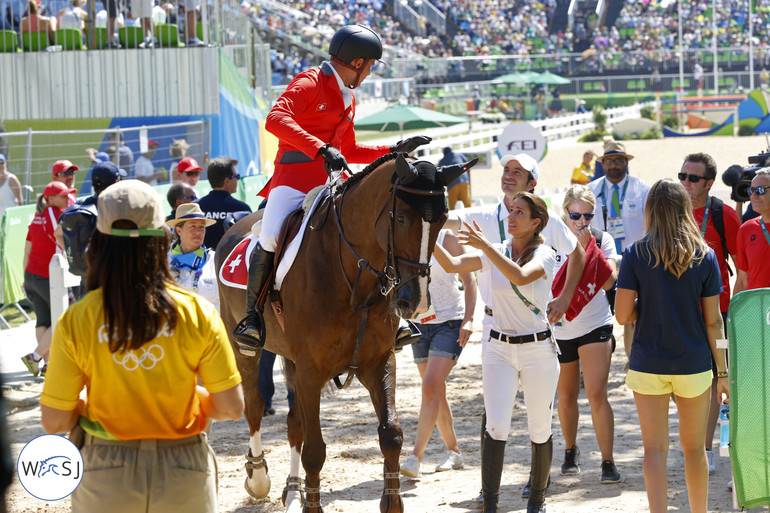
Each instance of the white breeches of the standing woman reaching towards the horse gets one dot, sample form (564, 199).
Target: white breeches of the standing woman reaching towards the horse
(504, 365)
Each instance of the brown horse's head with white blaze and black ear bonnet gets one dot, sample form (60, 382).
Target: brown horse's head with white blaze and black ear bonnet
(418, 211)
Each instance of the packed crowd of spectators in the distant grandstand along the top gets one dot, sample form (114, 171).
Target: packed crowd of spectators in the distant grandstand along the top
(648, 30)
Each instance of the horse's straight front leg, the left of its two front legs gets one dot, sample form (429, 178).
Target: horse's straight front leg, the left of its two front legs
(308, 396)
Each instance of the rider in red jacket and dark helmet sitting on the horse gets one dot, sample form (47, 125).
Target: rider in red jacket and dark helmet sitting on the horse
(313, 121)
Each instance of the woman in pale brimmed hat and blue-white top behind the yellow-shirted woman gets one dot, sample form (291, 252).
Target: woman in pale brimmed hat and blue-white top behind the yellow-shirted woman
(192, 264)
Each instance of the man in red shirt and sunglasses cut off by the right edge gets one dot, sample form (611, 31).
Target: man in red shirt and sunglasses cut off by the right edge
(754, 239)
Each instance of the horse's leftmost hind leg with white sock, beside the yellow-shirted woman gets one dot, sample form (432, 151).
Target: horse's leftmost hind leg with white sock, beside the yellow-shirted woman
(257, 481)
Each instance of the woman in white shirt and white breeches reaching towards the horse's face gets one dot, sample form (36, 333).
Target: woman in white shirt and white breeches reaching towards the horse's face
(521, 348)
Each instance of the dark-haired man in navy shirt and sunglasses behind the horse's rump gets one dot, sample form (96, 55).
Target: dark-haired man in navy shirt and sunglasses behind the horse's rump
(223, 178)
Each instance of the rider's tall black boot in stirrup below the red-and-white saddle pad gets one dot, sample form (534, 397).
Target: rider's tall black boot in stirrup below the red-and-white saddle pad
(250, 332)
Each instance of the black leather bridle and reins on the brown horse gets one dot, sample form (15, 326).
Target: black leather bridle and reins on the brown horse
(388, 280)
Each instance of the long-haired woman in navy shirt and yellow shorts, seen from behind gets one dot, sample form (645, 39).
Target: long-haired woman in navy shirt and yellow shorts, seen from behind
(669, 283)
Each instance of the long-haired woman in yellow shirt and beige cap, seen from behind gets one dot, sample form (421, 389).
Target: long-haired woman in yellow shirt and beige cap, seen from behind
(138, 345)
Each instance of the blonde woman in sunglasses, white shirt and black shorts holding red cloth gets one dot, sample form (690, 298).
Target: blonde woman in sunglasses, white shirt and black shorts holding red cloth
(586, 341)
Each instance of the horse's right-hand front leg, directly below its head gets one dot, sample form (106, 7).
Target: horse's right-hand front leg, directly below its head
(380, 380)
